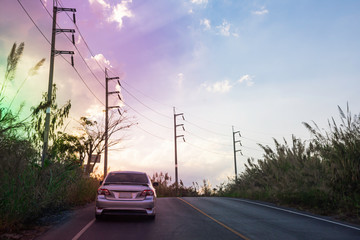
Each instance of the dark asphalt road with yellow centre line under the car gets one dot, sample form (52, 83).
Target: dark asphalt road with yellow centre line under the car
(205, 218)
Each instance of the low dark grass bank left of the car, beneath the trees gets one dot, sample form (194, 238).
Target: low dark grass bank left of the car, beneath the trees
(28, 191)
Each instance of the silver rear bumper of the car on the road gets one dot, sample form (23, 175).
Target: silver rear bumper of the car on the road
(125, 207)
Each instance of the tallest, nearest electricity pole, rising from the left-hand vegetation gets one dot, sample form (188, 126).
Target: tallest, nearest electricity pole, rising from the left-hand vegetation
(51, 71)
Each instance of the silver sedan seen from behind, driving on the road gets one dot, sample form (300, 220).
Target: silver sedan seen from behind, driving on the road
(126, 193)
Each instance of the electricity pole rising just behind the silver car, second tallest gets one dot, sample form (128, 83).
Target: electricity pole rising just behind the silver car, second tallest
(107, 93)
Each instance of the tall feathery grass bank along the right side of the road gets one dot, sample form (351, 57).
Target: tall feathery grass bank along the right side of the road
(321, 175)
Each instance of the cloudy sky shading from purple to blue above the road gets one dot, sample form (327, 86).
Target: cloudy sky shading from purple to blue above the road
(262, 66)
